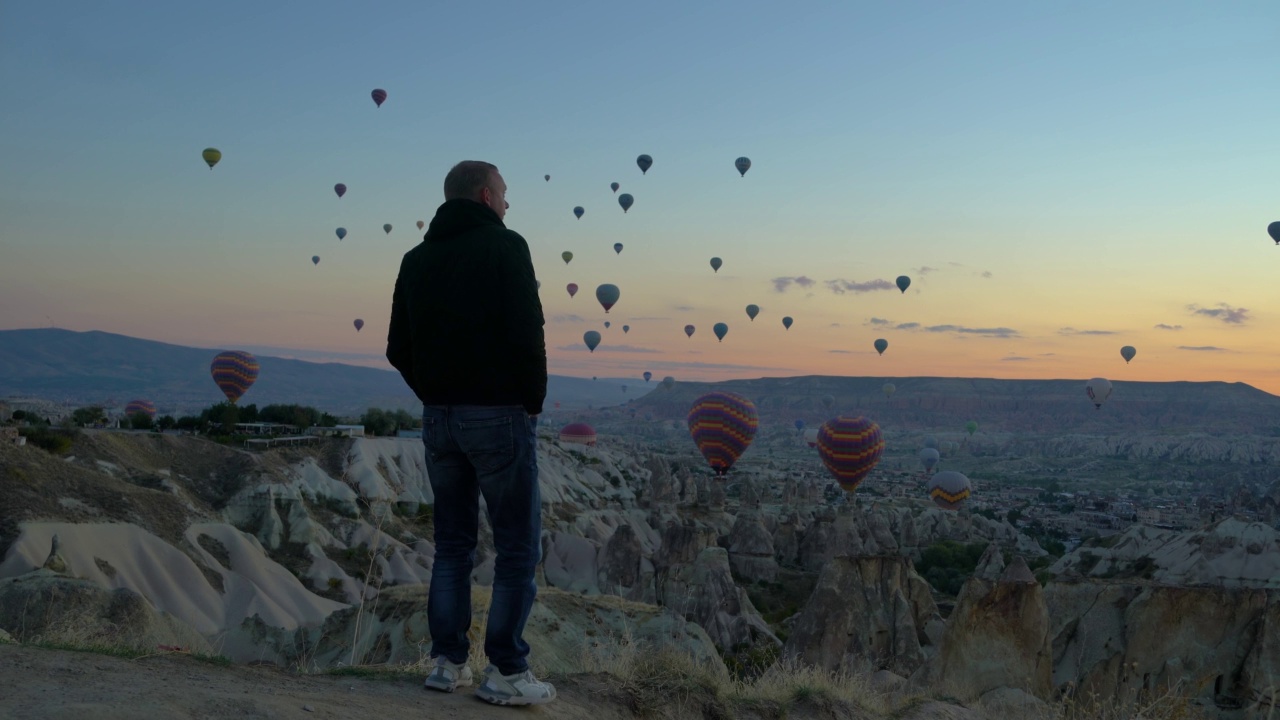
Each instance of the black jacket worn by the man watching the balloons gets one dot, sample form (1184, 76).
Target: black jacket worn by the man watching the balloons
(467, 320)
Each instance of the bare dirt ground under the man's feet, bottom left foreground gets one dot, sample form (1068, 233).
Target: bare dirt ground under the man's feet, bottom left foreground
(38, 683)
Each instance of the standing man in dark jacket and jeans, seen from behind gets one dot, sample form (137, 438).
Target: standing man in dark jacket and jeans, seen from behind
(467, 334)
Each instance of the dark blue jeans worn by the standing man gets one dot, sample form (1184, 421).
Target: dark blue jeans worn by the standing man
(491, 450)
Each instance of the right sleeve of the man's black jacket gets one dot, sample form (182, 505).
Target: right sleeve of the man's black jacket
(529, 341)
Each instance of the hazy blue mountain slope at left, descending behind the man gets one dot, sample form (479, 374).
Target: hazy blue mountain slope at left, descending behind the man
(84, 368)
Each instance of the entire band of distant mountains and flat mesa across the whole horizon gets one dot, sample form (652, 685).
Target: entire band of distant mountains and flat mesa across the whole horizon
(85, 368)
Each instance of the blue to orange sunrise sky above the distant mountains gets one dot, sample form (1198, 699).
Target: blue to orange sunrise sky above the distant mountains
(1057, 180)
